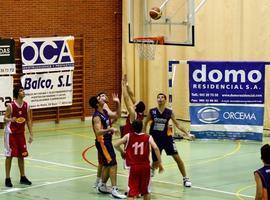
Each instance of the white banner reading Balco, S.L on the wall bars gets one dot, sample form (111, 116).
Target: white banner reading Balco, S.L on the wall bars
(48, 89)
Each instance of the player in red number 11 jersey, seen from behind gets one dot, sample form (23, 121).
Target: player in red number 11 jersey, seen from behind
(136, 153)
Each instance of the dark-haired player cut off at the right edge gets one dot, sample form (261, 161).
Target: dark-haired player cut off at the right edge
(262, 175)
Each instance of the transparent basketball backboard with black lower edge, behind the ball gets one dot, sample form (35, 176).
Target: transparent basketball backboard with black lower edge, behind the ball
(177, 22)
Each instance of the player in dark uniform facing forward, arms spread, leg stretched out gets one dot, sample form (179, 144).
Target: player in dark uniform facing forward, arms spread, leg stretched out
(159, 118)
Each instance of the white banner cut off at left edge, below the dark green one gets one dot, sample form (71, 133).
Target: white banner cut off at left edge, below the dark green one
(6, 90)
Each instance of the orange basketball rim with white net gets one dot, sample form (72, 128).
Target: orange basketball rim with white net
(146, 46)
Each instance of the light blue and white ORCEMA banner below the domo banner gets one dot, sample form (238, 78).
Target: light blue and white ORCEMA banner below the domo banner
(217, 121)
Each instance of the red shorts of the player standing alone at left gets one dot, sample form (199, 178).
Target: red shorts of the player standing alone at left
(15, 145)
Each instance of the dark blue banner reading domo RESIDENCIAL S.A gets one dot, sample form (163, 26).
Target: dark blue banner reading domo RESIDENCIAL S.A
(226, 82)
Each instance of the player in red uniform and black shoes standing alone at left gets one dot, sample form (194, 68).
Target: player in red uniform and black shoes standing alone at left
(16, 116)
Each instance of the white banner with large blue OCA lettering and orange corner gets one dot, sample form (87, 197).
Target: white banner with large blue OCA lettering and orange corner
(47, 54)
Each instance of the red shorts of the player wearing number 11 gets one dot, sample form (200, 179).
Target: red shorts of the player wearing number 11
(139, 180)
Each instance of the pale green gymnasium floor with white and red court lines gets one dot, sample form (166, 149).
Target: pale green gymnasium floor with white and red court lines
(62, 159)
